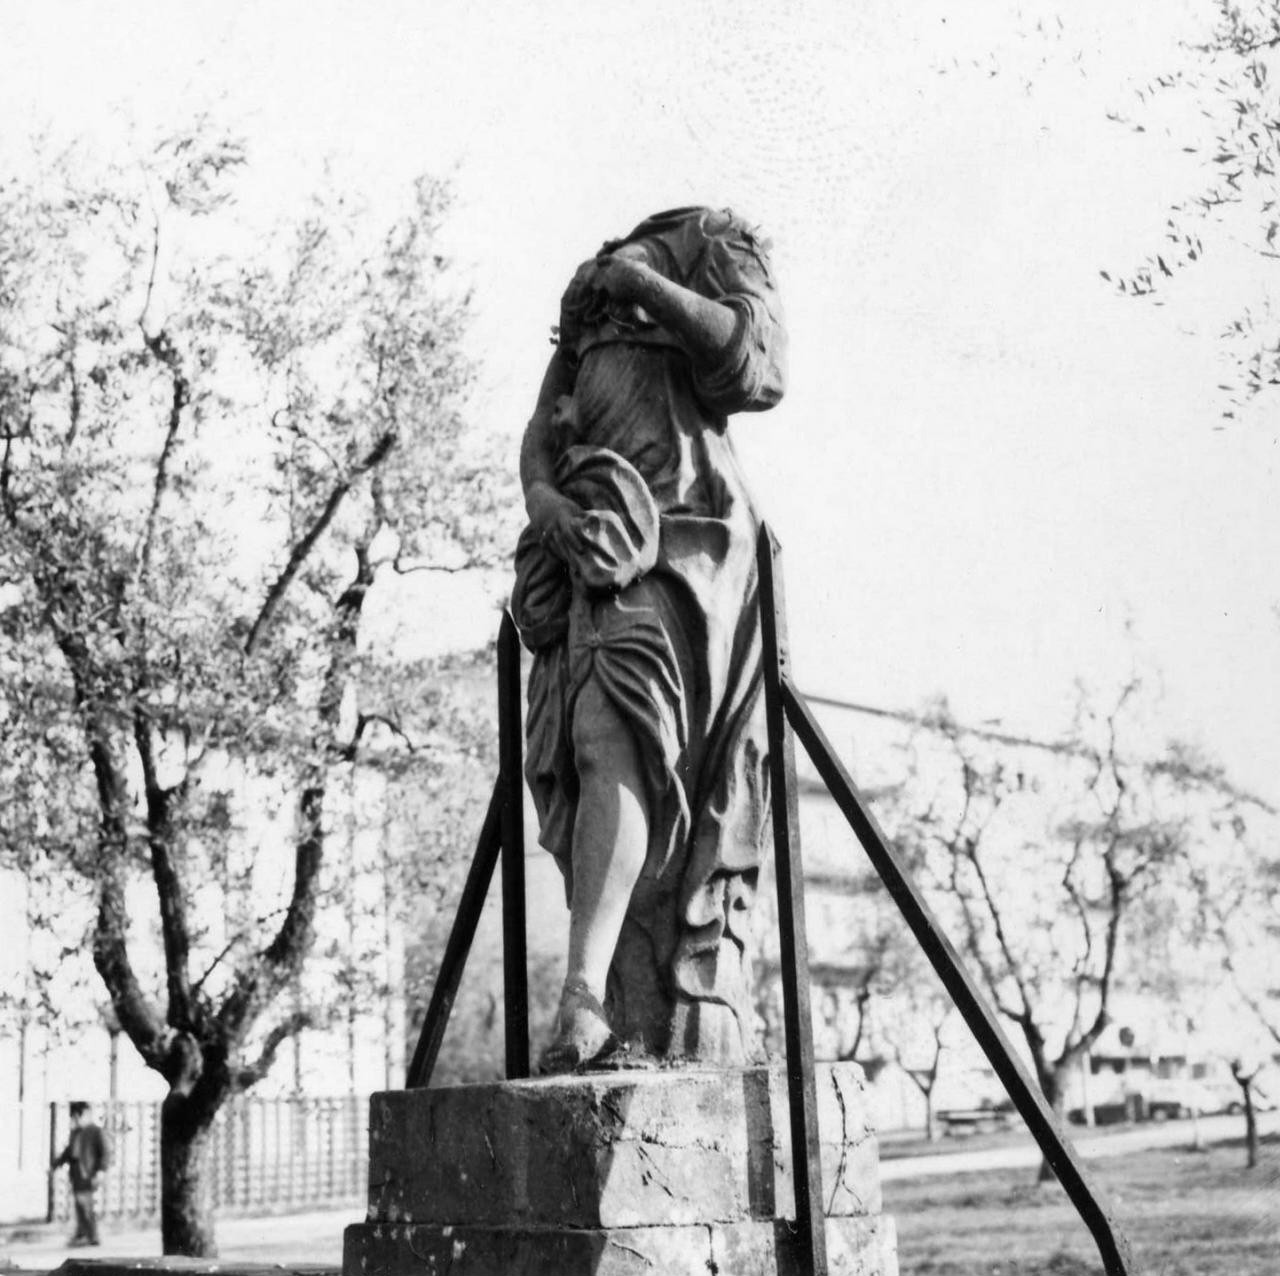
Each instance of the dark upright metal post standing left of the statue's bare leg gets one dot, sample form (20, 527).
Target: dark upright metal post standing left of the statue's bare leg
(515, 966)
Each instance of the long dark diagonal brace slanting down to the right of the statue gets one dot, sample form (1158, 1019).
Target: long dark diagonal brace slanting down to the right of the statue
(1054, 1144)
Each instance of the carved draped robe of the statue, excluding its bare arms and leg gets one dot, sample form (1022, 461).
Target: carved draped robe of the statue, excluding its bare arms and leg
(661, 610)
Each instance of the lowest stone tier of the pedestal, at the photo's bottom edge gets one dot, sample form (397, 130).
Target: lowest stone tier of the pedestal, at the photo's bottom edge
(857, 1247)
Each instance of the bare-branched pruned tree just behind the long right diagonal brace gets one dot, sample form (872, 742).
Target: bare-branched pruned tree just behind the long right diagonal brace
(1040, 880)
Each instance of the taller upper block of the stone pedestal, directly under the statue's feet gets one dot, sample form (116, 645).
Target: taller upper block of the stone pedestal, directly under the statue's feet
(614, 1150)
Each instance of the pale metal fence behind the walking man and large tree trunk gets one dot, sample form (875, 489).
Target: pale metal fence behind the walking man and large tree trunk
(264, 1155)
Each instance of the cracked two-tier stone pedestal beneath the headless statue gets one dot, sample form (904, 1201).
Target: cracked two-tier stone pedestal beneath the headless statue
(611, 1174)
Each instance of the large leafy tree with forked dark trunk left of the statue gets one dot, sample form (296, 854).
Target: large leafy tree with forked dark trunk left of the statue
(214, 446)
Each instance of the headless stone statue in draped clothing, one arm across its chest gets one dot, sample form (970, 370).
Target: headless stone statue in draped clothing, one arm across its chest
(637, 592)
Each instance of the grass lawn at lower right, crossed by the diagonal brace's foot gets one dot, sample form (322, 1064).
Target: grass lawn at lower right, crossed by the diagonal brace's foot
(1187, 1214)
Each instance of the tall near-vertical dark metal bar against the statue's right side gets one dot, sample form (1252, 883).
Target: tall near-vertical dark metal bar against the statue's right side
(793, 941)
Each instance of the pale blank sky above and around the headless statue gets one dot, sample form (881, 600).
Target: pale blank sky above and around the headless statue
(993, 477)
